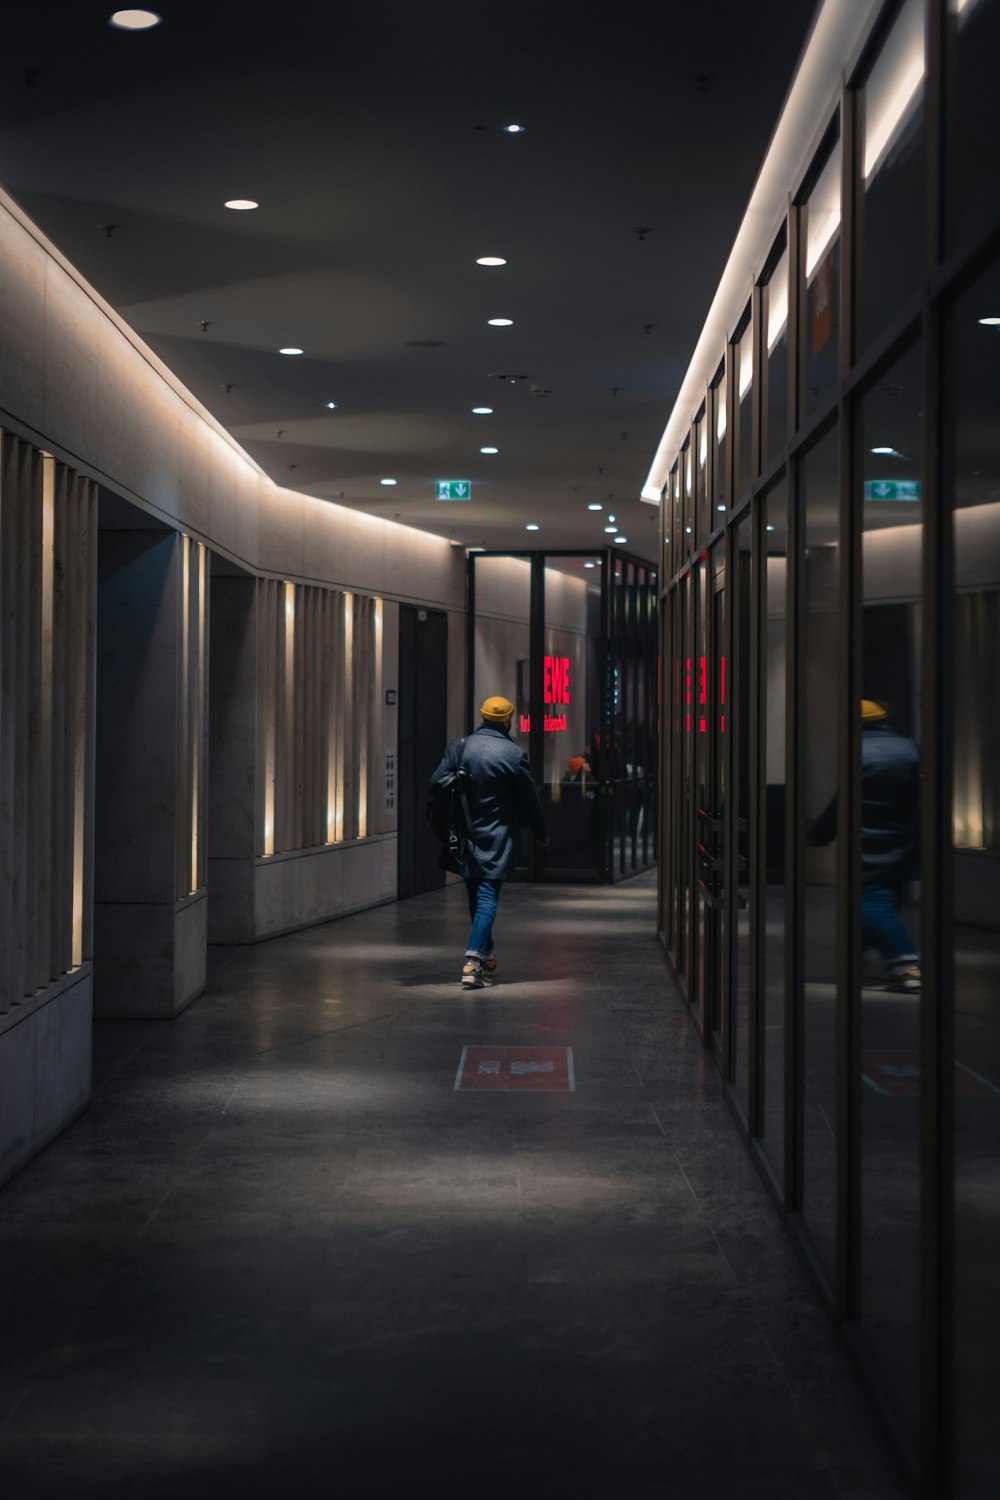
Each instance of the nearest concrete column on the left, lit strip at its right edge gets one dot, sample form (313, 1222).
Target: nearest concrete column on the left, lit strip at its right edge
(151, 908)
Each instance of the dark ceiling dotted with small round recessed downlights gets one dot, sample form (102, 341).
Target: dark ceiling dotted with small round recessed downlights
(374, 142)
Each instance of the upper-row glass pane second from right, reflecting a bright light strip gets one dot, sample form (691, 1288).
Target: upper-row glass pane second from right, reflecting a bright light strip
(893, 170)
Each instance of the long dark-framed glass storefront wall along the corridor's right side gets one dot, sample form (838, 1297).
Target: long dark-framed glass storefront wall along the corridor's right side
(831, 760)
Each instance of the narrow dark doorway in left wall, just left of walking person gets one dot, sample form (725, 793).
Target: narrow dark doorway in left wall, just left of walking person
(424, 703)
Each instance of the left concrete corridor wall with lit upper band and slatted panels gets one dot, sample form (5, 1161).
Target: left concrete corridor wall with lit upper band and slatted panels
(77, 383)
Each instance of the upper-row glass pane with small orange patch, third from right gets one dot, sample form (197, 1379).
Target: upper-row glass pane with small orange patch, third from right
(821, 329)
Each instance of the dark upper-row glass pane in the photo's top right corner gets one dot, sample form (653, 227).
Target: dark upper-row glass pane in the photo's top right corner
(974, 175)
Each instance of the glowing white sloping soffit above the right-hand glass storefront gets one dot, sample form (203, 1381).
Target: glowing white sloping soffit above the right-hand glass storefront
(831, 44)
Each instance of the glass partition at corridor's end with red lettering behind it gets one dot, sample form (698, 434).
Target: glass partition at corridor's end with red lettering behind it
(572, 640)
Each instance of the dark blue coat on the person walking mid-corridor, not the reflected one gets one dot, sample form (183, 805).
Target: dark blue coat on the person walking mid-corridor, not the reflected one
(503, 797)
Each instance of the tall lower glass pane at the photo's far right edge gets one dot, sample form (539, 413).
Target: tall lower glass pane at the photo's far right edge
(977, 865)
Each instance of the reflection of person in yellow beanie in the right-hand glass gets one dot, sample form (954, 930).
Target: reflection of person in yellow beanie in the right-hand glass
(890, 796)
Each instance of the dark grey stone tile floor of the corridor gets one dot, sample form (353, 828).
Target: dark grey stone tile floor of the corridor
(284, 1255)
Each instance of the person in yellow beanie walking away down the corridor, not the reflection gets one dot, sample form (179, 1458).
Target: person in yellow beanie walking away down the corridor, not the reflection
(501, 797)
